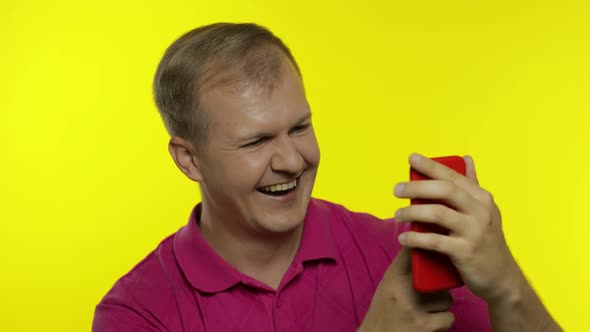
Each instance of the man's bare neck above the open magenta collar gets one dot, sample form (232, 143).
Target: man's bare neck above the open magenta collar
(263, 256)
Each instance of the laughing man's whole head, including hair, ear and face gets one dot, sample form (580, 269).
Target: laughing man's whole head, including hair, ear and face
(232, 98)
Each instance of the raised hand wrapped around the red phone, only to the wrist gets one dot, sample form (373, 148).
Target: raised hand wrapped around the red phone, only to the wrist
(475, 243)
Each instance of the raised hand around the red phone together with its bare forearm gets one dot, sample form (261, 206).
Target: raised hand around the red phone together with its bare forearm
(475, 243)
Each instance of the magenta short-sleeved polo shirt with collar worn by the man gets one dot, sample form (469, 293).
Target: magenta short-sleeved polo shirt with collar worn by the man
(184, 285)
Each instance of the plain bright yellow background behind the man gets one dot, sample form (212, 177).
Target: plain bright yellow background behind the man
(87, 187)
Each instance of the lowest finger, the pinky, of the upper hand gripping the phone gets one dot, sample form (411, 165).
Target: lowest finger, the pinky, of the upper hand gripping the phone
(444, 244)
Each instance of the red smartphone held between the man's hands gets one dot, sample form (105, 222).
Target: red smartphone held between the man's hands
(433, 271)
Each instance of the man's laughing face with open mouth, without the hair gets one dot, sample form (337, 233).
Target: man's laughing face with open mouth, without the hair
(260, 161)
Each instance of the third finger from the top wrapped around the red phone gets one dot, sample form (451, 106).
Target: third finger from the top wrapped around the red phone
(437, 214)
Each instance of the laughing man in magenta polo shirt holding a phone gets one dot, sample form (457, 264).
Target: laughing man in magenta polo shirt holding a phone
(259, 254)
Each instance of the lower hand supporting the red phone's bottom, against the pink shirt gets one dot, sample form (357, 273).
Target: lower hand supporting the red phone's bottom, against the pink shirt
(397, 307)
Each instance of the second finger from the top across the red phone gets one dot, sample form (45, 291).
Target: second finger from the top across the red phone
(446, 191)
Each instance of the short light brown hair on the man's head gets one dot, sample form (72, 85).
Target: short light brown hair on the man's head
(208, 56)
